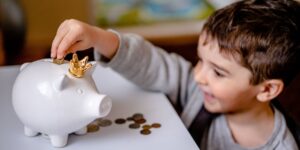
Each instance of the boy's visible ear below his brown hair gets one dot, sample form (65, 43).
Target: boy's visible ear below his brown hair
(269, 89)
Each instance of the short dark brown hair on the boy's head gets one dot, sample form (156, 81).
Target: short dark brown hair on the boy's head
(263, 34)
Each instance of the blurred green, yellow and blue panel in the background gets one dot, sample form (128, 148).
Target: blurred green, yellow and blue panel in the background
(137, 12)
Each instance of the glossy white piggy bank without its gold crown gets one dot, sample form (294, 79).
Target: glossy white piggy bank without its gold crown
(49, 100)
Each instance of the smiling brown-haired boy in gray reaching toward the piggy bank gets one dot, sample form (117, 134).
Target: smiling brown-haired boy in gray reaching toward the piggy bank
(248, 53)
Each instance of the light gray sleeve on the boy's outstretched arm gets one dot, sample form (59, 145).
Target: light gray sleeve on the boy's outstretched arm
(152, 68)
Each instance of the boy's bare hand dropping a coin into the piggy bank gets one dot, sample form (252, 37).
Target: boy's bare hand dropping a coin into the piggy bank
(73, 35)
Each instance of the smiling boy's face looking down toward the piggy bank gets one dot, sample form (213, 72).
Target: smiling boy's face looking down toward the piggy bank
(224, 82)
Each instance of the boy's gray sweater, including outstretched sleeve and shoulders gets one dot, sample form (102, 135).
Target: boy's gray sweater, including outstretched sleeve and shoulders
(153, 69)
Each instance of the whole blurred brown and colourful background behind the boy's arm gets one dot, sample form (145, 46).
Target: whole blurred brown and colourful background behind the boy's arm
(28, 27)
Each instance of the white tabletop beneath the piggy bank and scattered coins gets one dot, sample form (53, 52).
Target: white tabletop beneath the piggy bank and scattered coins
(127, 100)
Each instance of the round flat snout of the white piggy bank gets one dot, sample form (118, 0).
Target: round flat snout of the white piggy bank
(104, 105)
